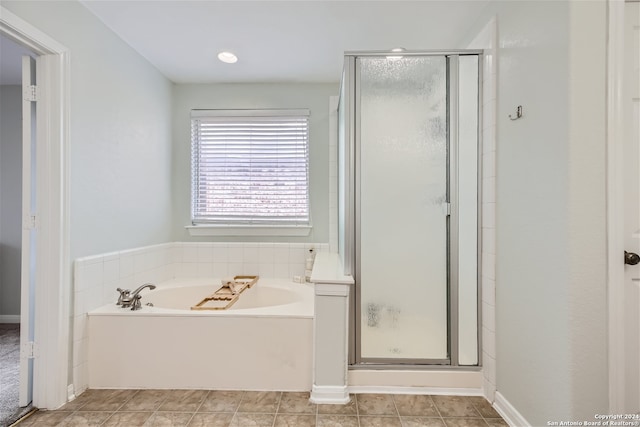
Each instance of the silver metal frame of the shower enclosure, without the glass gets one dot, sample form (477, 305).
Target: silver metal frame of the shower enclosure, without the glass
(351, 181)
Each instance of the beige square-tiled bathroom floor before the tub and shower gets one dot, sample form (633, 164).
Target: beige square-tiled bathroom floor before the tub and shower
(203, 408)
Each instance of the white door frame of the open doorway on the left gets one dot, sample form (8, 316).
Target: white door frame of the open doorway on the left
(52, 315)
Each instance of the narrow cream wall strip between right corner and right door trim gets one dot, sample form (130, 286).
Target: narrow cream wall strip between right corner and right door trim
(588, 314)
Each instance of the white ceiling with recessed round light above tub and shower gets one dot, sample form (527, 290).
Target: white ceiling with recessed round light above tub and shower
(278, 41)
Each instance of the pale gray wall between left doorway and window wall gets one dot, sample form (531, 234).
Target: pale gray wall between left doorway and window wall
(120, 137)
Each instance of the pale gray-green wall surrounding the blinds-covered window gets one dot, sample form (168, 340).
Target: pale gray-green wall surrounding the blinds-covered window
(315, 97)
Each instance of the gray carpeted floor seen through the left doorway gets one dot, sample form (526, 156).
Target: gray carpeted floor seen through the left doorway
(9, 372)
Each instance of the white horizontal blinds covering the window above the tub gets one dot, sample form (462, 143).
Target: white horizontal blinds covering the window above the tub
(250, 167)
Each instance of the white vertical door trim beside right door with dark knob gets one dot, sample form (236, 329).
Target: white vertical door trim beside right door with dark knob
(615, 204)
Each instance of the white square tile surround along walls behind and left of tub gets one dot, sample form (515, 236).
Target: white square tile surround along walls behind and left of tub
(97, 277)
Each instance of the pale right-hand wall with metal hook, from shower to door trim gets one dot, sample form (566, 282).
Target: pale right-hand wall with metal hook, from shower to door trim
(551, 314)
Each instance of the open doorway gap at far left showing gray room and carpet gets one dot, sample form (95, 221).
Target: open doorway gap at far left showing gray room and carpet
(11, 236)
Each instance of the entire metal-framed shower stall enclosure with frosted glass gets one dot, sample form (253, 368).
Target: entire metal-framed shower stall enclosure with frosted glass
(409, 217)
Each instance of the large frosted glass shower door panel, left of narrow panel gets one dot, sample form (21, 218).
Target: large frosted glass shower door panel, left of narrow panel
(403, 172)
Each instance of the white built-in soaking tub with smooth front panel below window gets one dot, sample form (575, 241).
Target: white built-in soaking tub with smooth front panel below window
(262, 342)
